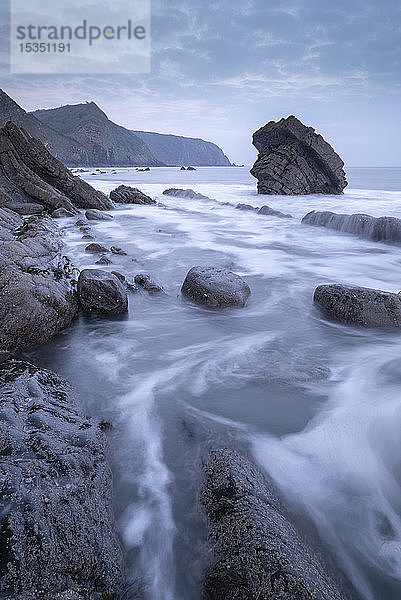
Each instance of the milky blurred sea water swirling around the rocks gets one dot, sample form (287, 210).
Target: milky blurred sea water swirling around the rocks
(317, 403)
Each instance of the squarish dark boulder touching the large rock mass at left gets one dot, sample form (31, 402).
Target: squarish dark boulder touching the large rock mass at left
(101, 292)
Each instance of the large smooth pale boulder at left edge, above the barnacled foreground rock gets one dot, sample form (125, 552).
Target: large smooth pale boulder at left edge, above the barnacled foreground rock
(37, 295)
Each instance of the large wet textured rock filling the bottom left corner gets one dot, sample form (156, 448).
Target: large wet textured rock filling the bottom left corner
(58, 534)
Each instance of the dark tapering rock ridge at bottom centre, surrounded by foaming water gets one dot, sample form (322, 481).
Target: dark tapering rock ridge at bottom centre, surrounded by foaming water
(258, 552)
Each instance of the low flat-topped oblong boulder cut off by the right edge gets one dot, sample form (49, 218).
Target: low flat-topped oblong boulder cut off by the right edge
(359, 306)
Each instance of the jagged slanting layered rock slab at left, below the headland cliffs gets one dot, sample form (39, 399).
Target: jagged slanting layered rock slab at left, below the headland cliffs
(28, 172)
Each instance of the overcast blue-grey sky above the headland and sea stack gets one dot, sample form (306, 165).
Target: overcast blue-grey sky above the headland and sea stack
(223, 68)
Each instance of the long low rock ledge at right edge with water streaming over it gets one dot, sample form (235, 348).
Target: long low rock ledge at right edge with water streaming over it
(378, 229)
